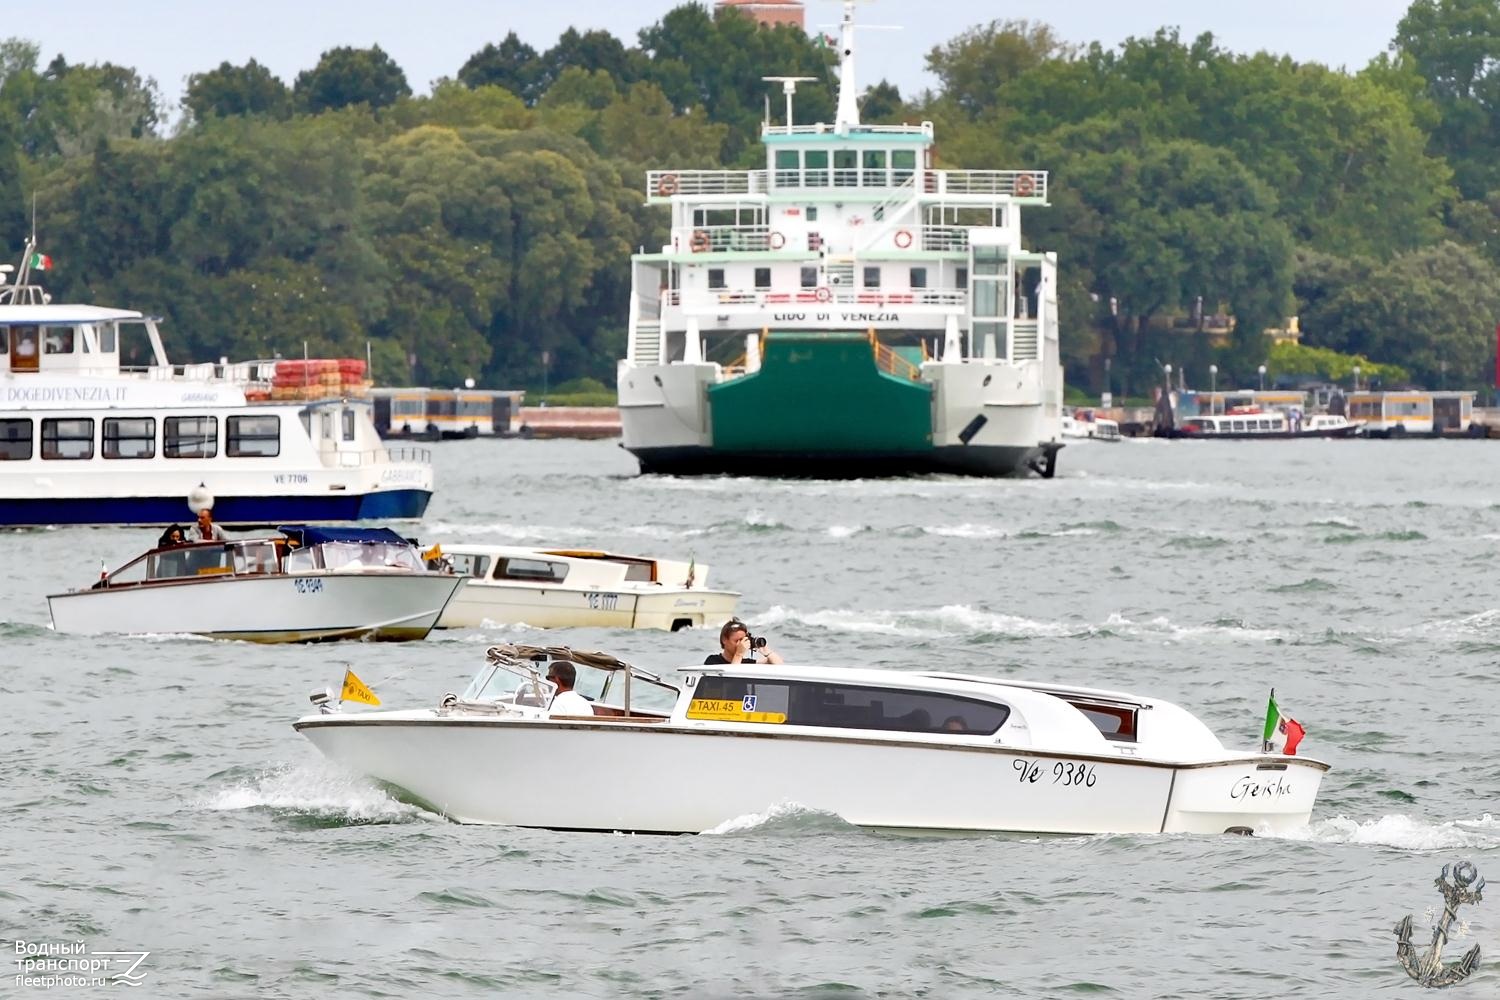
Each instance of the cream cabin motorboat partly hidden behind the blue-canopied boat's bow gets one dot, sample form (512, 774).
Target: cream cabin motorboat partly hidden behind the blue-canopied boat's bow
(559, 588)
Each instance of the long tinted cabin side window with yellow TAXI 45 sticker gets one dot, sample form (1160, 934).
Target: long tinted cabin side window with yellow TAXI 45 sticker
(844, 707)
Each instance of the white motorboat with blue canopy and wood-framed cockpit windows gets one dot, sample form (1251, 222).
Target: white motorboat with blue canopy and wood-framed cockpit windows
(302, 585)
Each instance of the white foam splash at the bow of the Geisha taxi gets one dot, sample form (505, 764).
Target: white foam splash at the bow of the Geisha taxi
(317, 794)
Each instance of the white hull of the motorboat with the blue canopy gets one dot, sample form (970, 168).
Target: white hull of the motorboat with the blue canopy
(272, 608)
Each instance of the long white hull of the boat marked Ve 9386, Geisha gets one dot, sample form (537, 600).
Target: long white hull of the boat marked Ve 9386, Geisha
(721, 777)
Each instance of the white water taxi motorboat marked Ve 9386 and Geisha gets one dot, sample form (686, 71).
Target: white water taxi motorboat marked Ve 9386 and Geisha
(881, 749)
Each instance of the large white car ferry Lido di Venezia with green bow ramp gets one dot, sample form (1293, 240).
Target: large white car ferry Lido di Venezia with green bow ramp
(848, 311)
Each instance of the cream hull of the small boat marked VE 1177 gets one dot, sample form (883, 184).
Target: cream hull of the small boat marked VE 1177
(487, 603)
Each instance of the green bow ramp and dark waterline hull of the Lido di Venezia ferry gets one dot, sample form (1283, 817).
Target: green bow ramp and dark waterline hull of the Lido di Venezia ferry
(820, 406)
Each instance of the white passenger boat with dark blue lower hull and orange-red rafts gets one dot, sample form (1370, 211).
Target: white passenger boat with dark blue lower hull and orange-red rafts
(89, 440)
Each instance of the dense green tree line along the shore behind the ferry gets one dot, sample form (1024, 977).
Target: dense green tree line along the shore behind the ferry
(485, 227)
